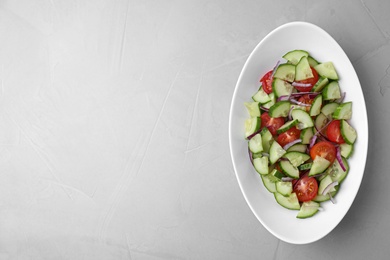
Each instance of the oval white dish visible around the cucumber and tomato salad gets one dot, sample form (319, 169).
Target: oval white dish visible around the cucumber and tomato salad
(279, 221)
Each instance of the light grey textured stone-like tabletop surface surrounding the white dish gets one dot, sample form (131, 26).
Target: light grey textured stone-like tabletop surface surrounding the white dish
(114, 128)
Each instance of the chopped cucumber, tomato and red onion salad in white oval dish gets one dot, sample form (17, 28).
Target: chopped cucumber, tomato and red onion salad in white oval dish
(299, 133)
